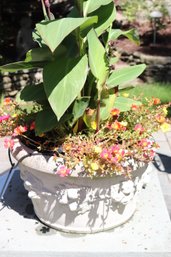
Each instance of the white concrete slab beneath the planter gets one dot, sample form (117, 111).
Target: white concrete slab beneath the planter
(148, 233)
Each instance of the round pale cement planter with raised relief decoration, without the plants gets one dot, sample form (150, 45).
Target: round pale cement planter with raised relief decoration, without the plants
(77, 204)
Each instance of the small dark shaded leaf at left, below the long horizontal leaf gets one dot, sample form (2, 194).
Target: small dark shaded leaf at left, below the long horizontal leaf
(33, 93)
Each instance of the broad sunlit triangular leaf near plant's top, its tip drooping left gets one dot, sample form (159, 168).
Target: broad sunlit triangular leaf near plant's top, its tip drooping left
(54, 32)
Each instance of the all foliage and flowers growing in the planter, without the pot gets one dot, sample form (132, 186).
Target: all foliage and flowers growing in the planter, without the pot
(76, 112)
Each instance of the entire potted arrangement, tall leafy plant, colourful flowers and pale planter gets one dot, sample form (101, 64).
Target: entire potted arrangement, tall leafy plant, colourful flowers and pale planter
(82, 148)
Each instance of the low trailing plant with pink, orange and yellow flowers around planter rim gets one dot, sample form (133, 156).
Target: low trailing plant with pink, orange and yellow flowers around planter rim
(122, 144)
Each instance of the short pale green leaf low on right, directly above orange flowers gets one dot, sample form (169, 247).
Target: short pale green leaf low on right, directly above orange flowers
(124, 103)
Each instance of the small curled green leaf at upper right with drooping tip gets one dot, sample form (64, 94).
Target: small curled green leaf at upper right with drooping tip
(131, 34)
